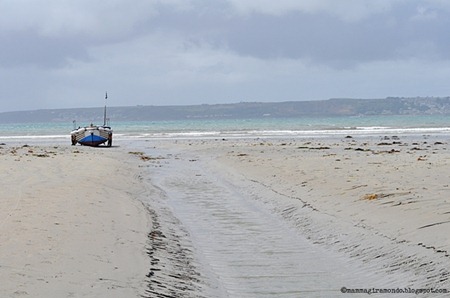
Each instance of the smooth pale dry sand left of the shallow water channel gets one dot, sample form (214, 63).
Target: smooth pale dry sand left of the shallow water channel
(71, 224)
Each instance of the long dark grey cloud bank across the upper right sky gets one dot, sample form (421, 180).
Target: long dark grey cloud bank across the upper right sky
(317, 37)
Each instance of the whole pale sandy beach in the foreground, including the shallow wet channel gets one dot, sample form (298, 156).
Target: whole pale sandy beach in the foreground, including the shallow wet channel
(303, 217)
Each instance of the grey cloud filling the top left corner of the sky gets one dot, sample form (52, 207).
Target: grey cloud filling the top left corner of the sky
(50, 34)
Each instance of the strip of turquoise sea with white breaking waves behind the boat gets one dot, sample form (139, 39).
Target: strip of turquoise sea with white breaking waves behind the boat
(266, 127)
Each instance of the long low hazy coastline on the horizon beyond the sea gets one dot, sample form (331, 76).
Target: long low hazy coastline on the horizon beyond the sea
(332, 108)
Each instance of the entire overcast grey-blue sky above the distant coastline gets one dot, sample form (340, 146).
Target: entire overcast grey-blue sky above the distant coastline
(68, 53)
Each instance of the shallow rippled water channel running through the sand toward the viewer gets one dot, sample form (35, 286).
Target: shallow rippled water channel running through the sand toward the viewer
(247, 251)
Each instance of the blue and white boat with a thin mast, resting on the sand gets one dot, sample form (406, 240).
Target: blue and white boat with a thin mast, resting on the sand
(93, 135)
